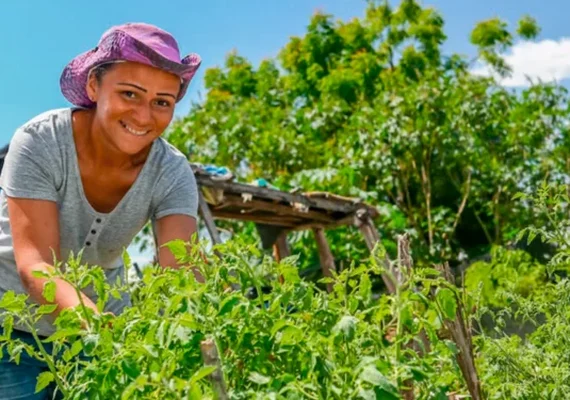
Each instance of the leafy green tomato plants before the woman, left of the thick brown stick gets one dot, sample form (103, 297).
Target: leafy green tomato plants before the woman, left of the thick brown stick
(293, 341)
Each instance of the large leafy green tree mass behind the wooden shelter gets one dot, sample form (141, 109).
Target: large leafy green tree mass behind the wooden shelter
(372, 108)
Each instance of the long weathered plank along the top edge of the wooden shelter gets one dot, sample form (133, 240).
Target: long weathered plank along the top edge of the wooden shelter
(272, 194)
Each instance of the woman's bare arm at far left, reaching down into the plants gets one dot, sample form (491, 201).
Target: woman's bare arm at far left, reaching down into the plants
(35, 232)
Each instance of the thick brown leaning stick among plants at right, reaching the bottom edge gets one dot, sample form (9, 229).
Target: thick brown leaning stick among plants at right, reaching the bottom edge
(461, 335)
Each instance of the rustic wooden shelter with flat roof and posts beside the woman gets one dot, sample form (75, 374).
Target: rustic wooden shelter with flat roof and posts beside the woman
(277, 213)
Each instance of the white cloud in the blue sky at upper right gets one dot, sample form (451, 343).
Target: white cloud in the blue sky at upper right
(546, 61)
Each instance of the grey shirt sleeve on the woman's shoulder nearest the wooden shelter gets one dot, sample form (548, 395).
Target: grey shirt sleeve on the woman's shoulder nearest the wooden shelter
(179, 192)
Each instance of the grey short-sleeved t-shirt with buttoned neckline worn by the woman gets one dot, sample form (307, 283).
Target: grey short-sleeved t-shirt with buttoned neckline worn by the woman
(42, 164)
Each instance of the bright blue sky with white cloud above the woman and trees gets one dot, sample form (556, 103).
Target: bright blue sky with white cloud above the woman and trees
(38, 38)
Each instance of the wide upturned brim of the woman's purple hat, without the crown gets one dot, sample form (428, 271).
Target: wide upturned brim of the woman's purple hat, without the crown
(120, 46)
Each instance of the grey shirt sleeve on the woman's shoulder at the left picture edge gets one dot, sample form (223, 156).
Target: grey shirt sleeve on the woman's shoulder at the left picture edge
(29, 169)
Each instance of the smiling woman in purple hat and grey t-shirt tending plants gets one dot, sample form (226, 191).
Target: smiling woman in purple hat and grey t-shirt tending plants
(91, 176)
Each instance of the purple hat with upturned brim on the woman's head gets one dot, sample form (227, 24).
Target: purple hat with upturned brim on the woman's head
(137, 42)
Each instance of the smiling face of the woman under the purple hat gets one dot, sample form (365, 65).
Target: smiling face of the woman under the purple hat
(135, 104)
